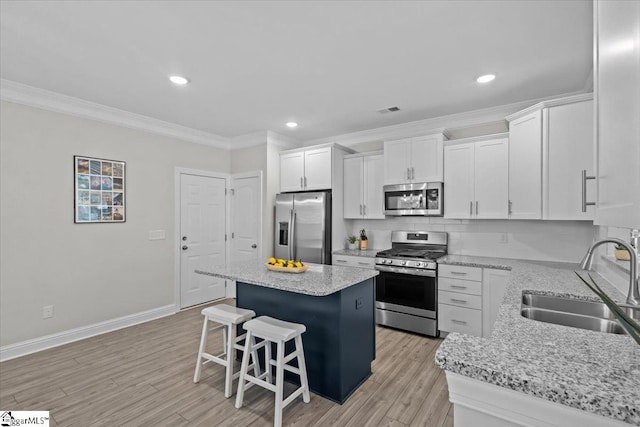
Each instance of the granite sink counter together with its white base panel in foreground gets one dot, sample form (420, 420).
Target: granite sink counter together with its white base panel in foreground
(535, 373)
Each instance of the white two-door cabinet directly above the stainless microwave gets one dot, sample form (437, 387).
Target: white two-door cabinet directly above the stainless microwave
(417, 159)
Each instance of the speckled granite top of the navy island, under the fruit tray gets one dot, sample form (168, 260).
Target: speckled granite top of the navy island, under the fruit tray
(319, 280)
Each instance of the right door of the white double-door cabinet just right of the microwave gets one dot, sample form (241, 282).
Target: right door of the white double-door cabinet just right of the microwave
(491, 179)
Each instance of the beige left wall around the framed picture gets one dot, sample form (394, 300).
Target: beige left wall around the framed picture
(88, 272)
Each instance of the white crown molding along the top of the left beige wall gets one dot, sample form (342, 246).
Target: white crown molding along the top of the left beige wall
(52, 101)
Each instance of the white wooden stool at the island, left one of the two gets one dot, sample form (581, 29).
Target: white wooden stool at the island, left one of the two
(228, 318)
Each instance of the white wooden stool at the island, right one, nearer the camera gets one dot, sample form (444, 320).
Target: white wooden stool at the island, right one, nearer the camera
(279, 332)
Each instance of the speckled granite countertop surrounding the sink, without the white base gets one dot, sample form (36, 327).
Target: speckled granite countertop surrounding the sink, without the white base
(591, 371)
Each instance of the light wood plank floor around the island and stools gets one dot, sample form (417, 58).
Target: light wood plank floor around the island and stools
(143, 376)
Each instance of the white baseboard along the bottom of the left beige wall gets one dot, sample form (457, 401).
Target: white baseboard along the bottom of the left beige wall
(23, 348)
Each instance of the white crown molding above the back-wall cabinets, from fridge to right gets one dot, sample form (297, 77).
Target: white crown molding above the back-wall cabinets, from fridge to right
(432, 125)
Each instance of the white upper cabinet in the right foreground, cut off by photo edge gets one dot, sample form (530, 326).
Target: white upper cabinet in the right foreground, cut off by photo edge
(617, 91)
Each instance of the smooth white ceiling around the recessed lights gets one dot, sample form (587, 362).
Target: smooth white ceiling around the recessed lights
(328, 65)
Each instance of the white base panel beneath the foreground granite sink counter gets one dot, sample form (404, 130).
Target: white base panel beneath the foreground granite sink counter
(481, 404)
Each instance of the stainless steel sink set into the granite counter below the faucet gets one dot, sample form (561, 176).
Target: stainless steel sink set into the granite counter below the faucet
(564, 311)
